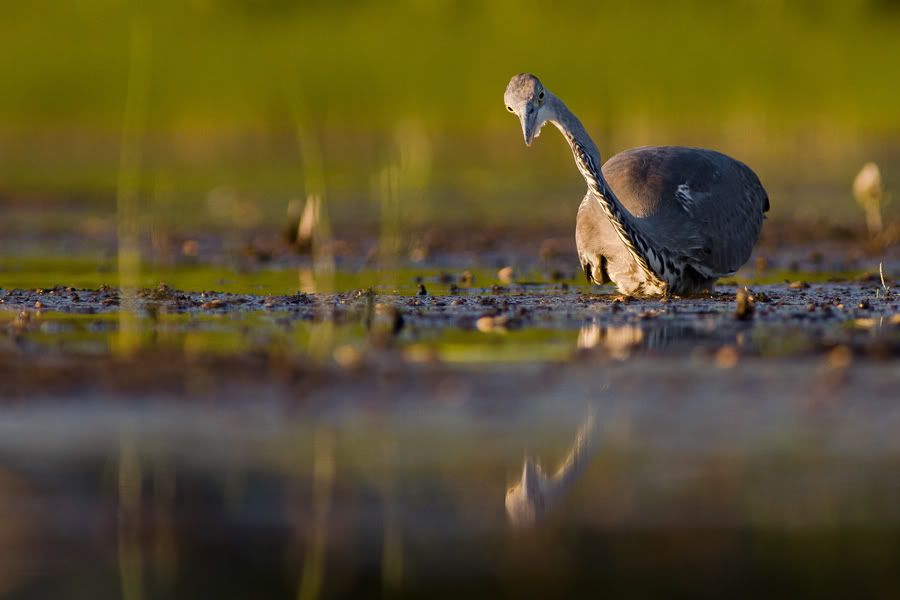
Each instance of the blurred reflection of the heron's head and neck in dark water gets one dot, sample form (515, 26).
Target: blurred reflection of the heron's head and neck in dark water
(536, 494)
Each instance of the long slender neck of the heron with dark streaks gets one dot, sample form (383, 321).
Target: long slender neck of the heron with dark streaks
(587, 159)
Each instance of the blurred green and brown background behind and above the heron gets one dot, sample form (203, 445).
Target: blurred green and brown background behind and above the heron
(248, 104)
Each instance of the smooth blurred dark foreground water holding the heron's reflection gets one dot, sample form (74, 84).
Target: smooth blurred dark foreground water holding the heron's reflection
(683, 479)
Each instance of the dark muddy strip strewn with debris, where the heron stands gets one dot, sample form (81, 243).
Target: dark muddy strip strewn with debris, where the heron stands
(840, 323)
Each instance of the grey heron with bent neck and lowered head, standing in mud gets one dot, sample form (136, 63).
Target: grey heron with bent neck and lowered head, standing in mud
(656, 220)
